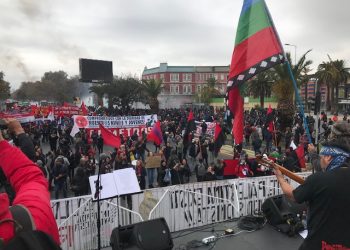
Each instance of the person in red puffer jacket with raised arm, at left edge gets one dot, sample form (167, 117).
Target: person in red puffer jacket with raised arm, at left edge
(30, 186)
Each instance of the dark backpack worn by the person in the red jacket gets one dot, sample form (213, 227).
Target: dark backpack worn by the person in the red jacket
(26, 237)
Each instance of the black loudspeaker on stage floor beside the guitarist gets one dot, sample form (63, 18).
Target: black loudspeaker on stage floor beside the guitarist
(278, 209)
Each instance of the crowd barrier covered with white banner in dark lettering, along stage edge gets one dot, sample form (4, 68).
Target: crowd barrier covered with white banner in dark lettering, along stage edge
(183, 207)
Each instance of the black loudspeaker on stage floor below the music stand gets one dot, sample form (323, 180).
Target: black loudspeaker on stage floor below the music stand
(146, 235)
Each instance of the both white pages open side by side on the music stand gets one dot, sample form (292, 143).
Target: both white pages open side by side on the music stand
(120, 182)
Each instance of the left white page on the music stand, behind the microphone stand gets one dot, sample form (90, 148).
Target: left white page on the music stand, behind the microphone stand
(107, 183)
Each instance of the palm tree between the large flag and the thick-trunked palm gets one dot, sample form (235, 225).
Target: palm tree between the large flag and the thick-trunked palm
(260, 86)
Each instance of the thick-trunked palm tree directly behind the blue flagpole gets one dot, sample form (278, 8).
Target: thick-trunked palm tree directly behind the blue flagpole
(283, 86)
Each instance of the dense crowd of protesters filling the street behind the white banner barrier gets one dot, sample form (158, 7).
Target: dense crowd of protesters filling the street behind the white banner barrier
(182, 157)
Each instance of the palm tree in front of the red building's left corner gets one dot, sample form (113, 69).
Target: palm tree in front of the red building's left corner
(153, 88)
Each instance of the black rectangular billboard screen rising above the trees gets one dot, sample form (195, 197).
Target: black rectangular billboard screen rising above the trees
(95, 70)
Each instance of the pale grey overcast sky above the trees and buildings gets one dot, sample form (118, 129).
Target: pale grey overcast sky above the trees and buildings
(37, 36)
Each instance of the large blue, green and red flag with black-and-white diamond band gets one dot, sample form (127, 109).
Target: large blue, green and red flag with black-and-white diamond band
(257, 48)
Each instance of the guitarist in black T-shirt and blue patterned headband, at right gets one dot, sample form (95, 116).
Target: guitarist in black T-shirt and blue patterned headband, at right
(327, 194)
